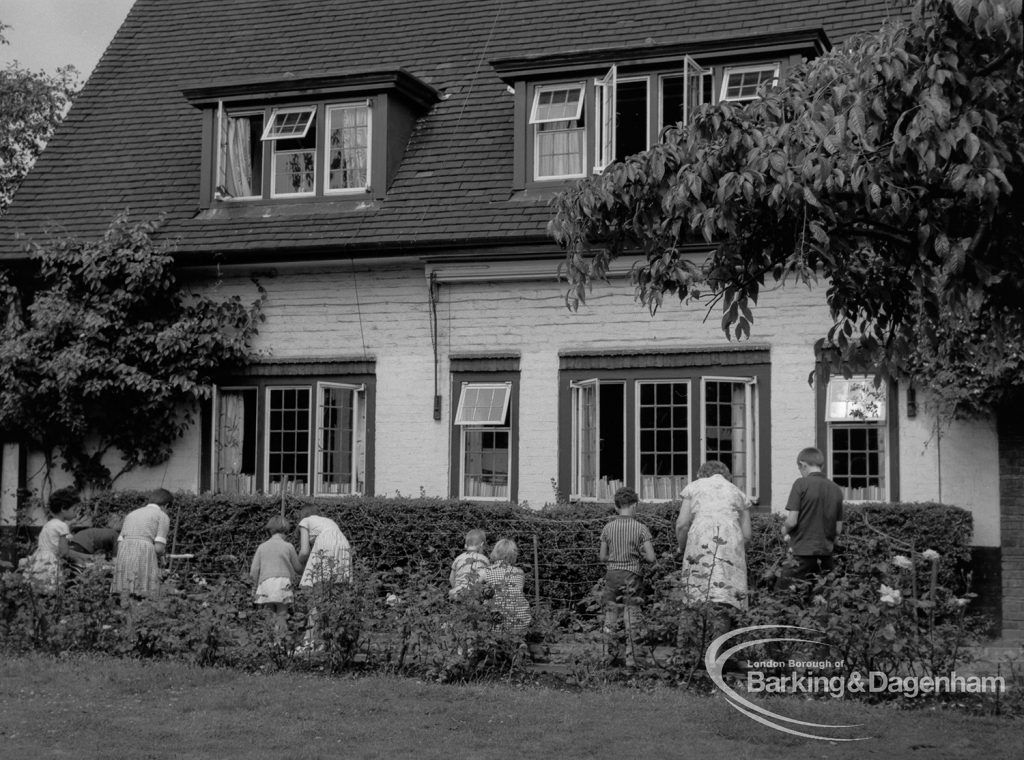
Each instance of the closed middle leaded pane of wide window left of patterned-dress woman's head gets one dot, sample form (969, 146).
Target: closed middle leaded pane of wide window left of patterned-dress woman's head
(664, 440)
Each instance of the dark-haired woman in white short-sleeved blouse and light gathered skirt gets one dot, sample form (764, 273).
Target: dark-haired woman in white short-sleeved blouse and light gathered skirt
(143, 540)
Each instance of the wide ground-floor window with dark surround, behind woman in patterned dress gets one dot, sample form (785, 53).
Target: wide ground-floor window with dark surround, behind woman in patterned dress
(650, 421)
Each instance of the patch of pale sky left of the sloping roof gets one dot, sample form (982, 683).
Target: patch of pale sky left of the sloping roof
(49, 34)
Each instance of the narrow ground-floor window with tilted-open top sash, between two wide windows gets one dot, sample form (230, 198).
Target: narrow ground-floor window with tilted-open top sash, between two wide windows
(486, 446)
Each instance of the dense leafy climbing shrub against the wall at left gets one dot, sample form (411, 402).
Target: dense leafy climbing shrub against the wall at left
(112, 354)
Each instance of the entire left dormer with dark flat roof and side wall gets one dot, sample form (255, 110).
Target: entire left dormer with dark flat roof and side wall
(327, 138)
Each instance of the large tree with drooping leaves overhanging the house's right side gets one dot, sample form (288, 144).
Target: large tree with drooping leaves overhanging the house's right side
(888, 166)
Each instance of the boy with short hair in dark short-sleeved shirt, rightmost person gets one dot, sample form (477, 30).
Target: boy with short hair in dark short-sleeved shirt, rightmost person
(814, 520)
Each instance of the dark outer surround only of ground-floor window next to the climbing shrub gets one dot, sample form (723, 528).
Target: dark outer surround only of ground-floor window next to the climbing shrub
(261, 376)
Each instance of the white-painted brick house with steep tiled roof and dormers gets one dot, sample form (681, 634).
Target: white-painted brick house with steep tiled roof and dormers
(385, 172)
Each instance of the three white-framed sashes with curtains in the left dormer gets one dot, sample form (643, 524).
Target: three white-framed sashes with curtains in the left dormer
(303, 159)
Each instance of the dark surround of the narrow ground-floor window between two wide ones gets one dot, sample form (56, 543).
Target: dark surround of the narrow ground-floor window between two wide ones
(485, 369)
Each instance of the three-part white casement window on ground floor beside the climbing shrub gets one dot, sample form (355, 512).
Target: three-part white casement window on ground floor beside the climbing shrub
(302, 437)
